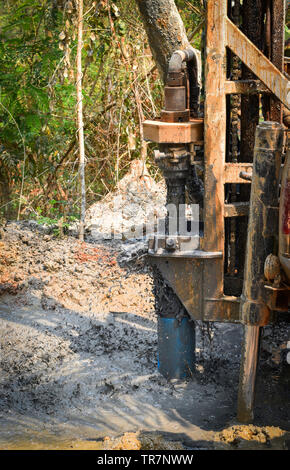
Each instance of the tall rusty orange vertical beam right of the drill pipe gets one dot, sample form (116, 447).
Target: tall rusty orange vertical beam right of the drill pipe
(215, 141)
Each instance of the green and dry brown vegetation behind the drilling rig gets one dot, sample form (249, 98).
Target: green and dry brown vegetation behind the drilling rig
(38, 144)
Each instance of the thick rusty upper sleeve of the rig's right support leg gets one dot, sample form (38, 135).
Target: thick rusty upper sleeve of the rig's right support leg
(263, 219)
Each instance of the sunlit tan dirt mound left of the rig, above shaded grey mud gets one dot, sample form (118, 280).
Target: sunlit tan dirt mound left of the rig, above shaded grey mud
(69, 274)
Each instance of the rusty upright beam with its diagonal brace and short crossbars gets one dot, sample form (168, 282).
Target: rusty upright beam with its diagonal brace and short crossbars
(222, 34)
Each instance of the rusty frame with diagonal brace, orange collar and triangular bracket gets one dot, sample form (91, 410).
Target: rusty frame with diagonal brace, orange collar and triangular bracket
(208, 301)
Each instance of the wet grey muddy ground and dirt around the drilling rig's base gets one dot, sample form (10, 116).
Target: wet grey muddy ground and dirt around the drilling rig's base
(79, 357)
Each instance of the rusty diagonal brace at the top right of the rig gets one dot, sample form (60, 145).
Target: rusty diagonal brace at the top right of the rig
(255, 60)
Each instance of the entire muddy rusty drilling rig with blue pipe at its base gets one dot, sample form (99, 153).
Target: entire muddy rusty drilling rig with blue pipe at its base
(227, 157)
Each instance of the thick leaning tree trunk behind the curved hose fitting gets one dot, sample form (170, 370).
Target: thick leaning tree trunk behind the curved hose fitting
(165, 30)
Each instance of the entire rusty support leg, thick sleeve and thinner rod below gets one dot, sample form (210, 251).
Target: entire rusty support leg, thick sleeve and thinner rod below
(262, 235)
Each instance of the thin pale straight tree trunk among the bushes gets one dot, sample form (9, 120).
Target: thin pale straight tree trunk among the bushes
(80, 121)
